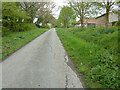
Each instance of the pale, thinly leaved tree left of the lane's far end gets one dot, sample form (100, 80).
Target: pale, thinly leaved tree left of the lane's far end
(44, 14)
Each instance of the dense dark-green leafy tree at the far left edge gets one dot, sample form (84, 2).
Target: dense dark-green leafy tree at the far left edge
(12, 16)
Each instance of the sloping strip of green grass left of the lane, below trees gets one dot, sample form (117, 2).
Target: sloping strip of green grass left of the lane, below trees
(15, 40)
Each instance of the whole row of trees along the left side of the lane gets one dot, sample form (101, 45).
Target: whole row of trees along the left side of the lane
(19, 16)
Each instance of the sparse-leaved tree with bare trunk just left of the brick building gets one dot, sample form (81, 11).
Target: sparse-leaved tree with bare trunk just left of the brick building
(82, 9)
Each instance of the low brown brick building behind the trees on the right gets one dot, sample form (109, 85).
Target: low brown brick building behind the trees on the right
(100, 21)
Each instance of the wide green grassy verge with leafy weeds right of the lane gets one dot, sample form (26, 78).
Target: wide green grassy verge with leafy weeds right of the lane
(94, 51)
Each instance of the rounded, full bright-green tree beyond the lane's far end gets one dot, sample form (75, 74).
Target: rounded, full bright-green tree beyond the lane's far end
(66, 16)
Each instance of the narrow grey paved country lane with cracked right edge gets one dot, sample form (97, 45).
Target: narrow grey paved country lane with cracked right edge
(39, 64)
